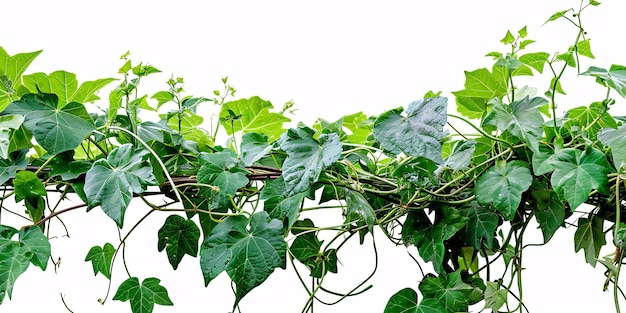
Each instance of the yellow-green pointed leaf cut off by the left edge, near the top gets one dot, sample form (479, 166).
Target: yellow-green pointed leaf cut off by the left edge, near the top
(11, 70)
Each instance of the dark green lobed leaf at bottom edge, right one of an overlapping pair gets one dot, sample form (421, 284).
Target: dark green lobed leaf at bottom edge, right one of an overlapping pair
(449, 290)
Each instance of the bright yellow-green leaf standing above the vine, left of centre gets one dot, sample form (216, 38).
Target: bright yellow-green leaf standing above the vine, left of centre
(253, 116)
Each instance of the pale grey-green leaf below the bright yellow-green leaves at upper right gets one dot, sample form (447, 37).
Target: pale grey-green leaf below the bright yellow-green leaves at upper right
(521, 118)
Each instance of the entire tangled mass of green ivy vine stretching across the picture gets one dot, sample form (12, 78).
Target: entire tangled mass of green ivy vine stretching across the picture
(235, 192)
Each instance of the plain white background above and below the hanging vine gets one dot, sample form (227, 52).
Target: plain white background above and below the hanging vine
(332, 58)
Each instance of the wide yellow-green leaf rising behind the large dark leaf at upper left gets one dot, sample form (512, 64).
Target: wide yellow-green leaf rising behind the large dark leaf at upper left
(65, 86)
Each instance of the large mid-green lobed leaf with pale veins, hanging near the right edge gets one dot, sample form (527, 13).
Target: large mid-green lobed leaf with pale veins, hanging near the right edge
(576, 173)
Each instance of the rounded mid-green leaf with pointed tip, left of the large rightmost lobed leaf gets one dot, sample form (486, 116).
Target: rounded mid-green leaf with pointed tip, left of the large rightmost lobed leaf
(502, 185)
